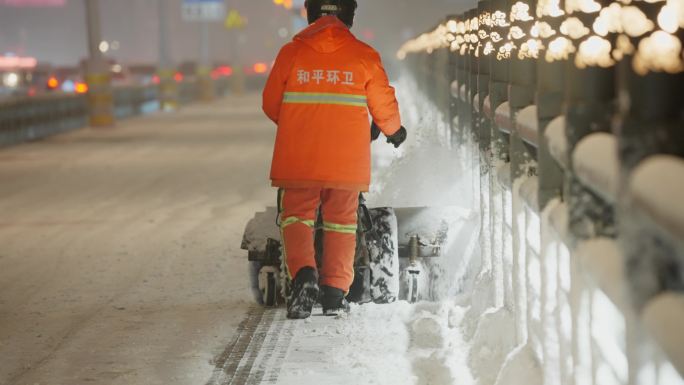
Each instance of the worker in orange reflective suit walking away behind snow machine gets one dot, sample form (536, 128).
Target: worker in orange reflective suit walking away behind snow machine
(319, 93)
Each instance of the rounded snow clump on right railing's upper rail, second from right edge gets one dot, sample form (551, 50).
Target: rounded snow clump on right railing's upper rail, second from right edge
(596, 164)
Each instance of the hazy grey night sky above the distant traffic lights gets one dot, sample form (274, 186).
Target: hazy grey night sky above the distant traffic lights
(57, 35)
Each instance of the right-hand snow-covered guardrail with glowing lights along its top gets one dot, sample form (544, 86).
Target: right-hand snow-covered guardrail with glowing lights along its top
(576, 121)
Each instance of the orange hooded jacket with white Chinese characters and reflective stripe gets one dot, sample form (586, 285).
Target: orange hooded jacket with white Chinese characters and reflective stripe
(319, 93)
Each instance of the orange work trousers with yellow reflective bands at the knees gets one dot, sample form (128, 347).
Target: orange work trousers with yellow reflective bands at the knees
(298, 213)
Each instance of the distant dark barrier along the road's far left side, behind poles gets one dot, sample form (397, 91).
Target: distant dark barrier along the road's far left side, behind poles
(30, 118)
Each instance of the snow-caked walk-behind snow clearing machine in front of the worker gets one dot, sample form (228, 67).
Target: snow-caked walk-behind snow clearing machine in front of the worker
(391, 244)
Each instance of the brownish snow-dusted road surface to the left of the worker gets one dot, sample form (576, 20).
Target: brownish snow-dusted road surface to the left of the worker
(119, 249)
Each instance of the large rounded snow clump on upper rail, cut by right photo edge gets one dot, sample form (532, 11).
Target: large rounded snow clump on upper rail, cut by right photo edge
(656, 186)
